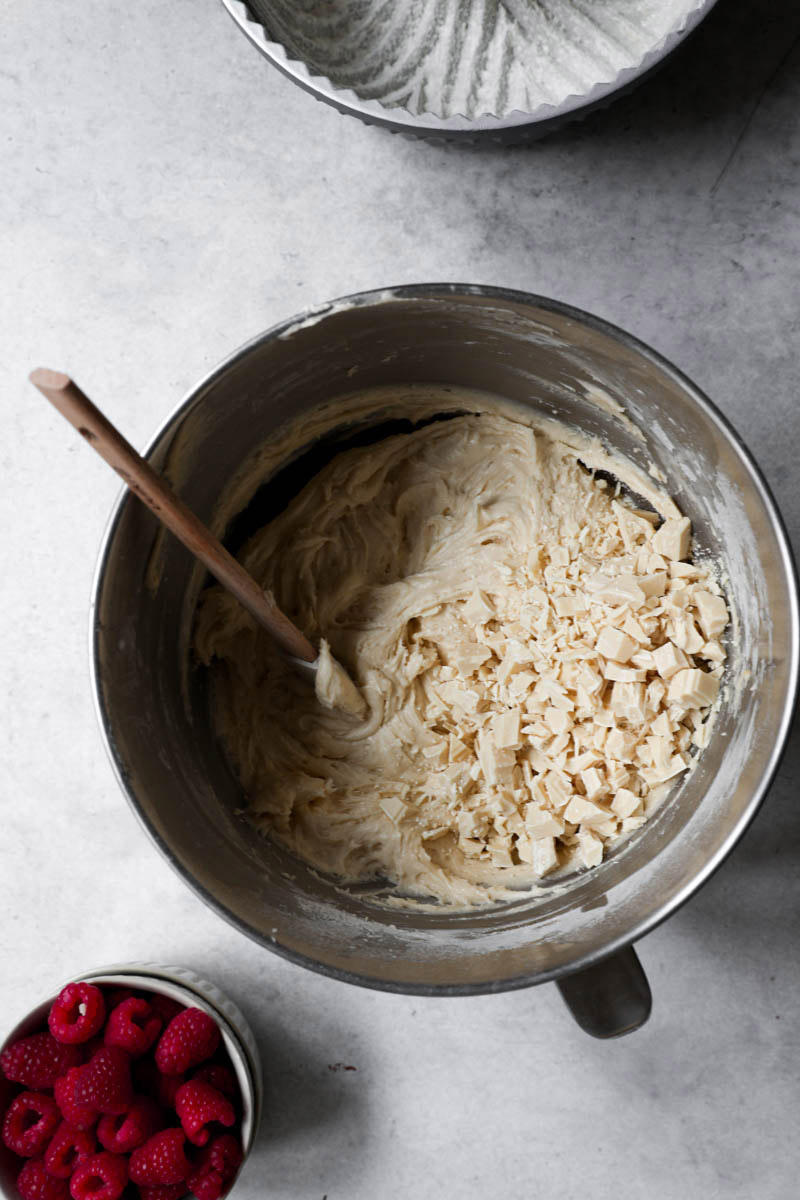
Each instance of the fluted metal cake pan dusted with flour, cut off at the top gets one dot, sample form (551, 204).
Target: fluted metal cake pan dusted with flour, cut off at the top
(335, 53)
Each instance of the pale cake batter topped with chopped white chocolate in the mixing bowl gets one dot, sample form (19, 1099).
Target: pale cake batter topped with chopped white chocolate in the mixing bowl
(533, 651)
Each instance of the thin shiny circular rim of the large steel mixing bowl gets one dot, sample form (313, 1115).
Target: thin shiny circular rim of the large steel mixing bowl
(432, 292)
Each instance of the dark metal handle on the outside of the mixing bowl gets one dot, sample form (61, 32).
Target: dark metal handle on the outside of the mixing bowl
(610, 999)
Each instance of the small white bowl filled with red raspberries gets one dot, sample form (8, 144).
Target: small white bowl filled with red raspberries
(134, 1083)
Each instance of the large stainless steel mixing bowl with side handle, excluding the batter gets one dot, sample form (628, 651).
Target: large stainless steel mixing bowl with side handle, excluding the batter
(154, 703)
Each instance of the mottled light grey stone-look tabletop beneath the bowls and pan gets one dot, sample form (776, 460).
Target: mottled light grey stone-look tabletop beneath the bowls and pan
(166, 196)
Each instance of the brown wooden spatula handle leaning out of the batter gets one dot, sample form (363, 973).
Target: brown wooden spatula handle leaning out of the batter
(141, 478)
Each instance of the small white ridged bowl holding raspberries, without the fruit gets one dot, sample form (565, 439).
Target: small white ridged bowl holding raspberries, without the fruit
(188, 989)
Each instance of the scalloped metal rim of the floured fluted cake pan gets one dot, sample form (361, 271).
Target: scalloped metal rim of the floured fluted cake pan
(459, 128)
